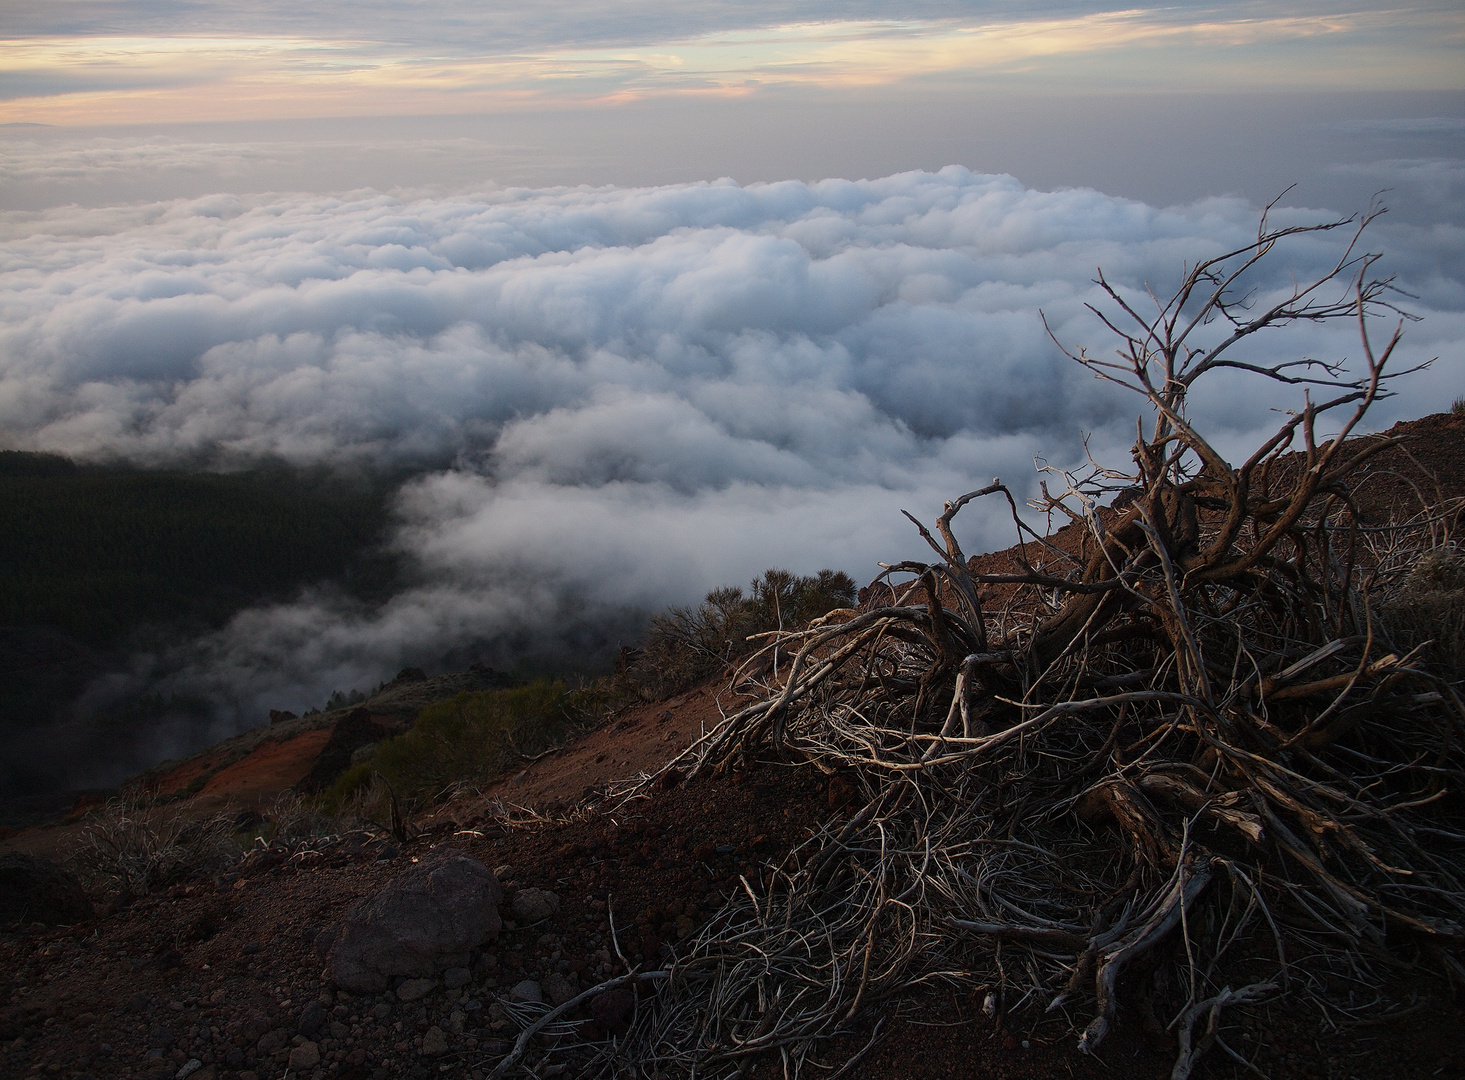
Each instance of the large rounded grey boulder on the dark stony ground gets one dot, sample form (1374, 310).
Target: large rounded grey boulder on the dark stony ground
(427, 921)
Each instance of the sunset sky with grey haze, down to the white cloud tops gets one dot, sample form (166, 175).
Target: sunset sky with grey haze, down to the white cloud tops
(1157, 103)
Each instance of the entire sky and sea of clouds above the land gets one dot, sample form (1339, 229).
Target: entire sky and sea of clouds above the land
(657, 297)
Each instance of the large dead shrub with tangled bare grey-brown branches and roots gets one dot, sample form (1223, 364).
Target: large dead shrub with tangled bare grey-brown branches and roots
(1184, 751)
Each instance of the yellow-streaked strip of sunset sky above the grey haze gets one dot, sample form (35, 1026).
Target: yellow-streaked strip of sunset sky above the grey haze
(93, 62)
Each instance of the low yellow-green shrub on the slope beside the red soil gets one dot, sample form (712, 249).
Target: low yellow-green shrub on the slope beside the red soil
(468, 741)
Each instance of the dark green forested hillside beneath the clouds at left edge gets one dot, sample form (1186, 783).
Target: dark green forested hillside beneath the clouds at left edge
(109, 553)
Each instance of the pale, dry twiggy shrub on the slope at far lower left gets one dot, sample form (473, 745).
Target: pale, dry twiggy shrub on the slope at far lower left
(133, 846)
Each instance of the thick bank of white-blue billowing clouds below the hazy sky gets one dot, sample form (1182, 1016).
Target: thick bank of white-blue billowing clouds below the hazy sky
(616, 399)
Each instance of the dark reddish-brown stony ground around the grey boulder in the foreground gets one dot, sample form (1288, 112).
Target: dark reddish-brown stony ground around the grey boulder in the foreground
(228, 974)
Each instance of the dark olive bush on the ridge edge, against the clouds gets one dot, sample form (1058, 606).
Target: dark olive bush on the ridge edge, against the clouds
(686, 646)
